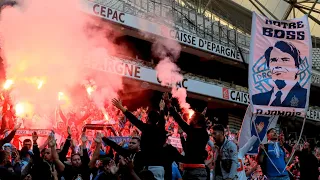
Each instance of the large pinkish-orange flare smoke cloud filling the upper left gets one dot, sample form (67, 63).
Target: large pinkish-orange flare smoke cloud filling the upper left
(47, 42)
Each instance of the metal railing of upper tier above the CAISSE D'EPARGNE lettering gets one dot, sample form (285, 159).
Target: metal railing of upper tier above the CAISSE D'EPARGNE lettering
(207, 26)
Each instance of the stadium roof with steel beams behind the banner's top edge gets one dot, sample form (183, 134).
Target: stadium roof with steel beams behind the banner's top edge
(239, 12)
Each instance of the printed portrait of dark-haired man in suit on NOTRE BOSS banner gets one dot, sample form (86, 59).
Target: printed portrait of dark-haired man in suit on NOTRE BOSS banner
(283, 61)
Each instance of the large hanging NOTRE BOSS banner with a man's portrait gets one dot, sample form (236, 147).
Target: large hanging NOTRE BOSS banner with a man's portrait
(280, 66)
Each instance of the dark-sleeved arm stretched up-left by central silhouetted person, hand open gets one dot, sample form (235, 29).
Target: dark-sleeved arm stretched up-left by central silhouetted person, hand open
(133, 119)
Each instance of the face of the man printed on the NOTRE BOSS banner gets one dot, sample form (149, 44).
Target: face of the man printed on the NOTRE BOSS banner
(282, 65)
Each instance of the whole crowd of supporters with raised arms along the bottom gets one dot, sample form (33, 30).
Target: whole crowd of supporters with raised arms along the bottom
(164, 144)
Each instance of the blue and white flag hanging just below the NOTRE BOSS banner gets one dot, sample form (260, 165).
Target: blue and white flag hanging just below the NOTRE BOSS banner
(253, 125)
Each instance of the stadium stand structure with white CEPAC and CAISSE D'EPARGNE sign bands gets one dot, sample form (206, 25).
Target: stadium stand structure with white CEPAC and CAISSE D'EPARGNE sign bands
(214, 36)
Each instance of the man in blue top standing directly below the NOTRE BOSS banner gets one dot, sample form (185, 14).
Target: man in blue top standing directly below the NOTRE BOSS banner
(273, 164)
